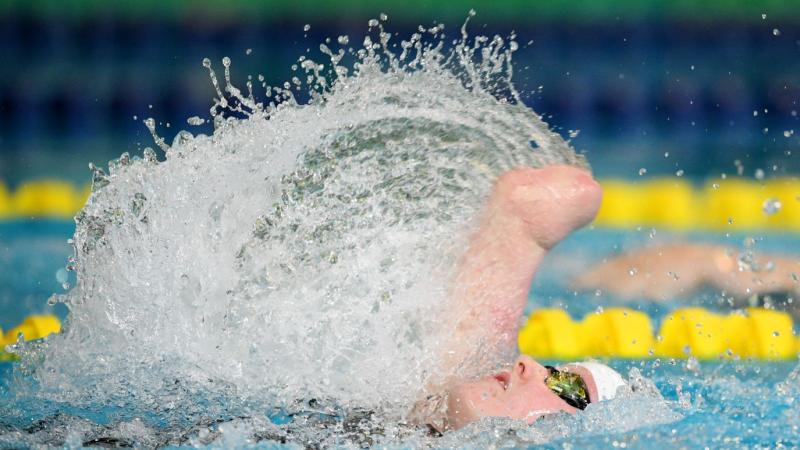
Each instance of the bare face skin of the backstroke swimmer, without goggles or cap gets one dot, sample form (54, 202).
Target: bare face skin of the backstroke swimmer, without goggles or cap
(519, 393)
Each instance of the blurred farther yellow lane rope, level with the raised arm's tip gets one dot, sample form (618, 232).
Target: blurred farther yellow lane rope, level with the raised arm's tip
(734, 204)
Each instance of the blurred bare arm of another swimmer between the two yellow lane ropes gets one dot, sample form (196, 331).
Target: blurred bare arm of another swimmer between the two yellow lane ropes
(669, 271)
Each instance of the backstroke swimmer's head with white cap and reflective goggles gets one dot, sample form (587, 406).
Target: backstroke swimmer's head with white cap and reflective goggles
(523, 393)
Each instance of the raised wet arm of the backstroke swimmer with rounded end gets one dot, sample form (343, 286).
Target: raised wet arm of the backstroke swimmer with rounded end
(529, 211)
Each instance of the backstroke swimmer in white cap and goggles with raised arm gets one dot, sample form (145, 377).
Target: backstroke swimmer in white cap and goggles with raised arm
(529, 211)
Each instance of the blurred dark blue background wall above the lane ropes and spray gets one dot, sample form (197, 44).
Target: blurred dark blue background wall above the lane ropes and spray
(705, 83)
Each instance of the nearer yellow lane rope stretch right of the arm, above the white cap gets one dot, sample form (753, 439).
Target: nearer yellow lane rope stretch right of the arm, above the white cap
(755, 333)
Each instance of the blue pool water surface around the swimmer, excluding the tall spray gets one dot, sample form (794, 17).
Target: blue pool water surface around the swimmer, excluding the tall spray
(730, 404)
